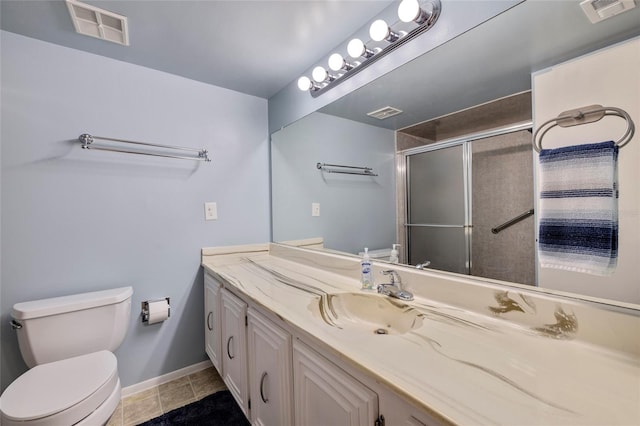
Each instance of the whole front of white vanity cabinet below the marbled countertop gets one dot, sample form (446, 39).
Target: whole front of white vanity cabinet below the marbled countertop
(280, 377)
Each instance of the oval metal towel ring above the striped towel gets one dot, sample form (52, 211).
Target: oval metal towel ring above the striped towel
(584, 115)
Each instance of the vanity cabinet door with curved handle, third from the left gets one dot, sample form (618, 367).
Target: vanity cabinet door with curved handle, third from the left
(269, 372)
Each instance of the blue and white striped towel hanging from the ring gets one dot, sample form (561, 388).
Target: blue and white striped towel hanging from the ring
(579, 208)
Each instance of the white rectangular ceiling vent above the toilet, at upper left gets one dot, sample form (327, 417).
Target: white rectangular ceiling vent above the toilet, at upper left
(95, 22)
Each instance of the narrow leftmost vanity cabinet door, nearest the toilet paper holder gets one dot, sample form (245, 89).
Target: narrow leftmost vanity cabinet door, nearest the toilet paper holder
(212, 324)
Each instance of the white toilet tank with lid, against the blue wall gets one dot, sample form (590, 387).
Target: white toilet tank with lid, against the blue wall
(63, 327)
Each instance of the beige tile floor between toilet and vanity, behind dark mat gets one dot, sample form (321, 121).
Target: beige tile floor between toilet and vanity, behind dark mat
(142, 406)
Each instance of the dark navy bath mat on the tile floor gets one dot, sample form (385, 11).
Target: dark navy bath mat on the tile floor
(219, 409)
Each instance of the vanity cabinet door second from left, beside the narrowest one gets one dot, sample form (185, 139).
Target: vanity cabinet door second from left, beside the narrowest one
(234, 347)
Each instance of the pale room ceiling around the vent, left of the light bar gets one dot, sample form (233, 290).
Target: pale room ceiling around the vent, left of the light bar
(255, 47)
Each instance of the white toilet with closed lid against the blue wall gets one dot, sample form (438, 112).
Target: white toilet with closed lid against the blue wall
(68, 343)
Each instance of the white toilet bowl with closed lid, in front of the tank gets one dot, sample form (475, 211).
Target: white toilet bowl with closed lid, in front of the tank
(60, 392)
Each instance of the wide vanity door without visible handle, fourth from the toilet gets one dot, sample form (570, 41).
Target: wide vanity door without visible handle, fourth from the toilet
(326, 395)
